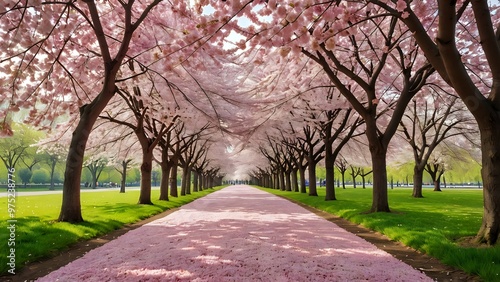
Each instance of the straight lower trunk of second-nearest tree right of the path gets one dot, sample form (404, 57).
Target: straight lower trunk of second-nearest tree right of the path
(380, 201)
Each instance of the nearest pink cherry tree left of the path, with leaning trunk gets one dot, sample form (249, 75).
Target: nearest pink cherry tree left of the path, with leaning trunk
(65, 58)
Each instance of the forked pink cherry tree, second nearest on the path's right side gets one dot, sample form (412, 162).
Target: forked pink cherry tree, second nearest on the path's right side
(371, 60)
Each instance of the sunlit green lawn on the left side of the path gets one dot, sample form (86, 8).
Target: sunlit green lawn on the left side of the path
(39, 235)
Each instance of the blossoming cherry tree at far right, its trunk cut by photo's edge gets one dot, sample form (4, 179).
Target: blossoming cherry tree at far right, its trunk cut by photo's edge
(463, 48)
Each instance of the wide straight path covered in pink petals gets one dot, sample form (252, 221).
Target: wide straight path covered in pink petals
(238, 234)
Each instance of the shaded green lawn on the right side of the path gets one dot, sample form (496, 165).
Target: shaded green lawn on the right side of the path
(433, 224)
